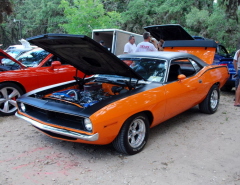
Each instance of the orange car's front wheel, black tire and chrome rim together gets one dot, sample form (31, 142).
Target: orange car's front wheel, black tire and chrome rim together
(133, 135)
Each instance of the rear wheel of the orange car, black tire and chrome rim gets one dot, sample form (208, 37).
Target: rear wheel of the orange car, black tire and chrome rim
(210, 104)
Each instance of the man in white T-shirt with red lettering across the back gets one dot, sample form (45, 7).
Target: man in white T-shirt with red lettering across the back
(146, 45)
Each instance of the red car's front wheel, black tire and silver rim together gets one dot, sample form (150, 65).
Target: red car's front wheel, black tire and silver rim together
(9, 92)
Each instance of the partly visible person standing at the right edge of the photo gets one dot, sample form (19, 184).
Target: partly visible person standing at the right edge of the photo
(236, 64)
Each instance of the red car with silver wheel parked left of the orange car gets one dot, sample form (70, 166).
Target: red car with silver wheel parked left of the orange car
(31, 70)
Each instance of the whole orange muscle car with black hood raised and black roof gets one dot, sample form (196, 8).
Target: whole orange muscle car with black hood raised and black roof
(125, 97)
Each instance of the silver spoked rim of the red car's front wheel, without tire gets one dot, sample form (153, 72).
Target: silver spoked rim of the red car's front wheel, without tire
(8, 96)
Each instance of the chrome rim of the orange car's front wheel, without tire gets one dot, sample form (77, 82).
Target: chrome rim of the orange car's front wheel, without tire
(136, 133)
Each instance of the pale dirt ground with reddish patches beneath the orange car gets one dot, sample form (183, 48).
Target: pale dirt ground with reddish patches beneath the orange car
(190, 149)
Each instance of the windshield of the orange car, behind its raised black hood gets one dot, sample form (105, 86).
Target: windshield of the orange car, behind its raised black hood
(150, 69)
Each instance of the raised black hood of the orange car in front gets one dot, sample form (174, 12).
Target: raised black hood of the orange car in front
(83, 53)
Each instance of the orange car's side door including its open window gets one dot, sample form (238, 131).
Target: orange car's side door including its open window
(182, 94)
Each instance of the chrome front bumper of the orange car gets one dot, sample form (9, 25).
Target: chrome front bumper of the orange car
(64, 132)
